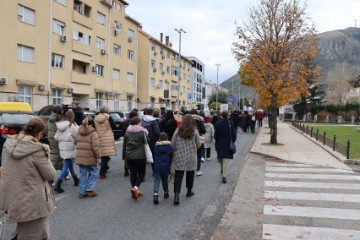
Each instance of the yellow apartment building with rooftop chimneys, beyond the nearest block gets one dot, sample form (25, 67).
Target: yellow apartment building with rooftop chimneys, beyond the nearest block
(162, 80)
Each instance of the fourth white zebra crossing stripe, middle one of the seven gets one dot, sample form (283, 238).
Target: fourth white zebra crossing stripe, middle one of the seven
(286, 184)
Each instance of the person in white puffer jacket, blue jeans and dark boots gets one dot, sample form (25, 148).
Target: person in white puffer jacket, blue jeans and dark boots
(65, 136)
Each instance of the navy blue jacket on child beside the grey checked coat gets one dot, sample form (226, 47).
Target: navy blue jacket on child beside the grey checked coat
(162, 157)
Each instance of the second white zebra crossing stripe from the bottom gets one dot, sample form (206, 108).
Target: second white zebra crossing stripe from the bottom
(314, 212)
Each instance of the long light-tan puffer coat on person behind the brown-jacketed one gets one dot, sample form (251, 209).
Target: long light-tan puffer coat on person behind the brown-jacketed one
(105, 134)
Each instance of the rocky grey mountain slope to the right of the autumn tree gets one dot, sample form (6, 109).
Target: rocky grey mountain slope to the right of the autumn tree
(339, 47)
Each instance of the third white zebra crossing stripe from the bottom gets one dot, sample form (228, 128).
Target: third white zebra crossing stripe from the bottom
(311, 196)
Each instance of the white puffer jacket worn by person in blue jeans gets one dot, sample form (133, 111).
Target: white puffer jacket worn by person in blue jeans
(65, 135)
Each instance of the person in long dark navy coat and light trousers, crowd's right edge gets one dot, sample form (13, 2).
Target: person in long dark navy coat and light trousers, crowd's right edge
(224, 133)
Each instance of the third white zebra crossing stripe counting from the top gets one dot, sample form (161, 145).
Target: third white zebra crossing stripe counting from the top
(312, 176)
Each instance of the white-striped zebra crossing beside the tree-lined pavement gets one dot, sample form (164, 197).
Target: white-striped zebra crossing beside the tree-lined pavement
(310, 202)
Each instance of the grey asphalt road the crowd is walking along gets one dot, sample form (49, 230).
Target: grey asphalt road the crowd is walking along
(115, 215)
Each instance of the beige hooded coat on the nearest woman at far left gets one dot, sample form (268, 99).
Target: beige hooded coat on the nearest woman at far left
(24, 189)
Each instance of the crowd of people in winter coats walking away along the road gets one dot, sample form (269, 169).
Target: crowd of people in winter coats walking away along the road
(179, 141)
